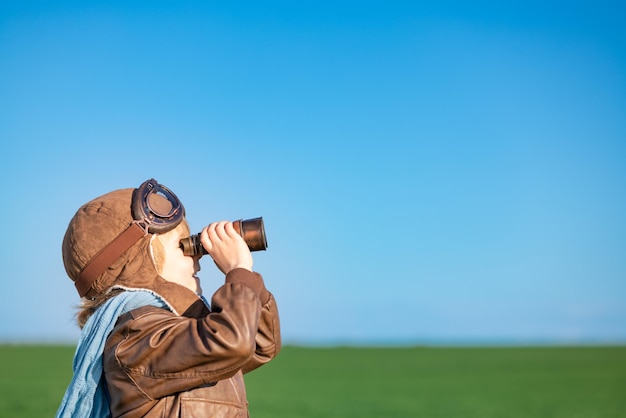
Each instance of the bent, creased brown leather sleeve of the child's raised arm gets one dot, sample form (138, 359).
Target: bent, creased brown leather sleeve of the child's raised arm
(163, 353)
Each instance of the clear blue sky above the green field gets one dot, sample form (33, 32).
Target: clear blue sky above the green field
(428, 172)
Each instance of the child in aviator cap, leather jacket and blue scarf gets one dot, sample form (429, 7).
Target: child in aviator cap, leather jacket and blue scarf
(150, 345)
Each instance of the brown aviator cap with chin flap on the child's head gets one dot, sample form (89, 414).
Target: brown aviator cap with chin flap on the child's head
(91, 232)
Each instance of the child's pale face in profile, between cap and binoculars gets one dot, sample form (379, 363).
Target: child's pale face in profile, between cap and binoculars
(177, 267)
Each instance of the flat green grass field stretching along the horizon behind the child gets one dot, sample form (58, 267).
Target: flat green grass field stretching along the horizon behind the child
(567, 382)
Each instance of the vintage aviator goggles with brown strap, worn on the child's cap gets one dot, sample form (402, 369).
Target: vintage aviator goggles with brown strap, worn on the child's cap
(155, 210)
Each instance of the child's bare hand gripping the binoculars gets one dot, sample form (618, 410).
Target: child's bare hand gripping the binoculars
(227, 248)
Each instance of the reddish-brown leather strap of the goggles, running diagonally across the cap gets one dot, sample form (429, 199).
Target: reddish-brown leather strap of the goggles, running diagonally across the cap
(101, 261)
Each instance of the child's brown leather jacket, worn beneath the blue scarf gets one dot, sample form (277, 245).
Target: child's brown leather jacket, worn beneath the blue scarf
(160, 364)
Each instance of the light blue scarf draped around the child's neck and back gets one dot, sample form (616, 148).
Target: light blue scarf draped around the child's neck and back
(86, 396)
